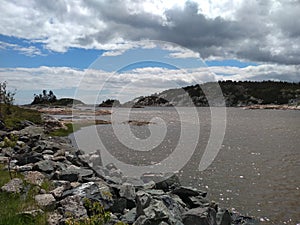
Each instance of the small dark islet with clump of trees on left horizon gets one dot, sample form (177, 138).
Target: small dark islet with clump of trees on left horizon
(46, 98)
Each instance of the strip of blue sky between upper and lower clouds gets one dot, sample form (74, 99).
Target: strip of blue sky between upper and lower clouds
(12, 57)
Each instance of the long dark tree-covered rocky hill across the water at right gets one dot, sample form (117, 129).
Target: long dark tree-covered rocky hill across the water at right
(236, 93)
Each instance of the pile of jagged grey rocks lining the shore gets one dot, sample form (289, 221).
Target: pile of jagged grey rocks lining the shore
(77, 176)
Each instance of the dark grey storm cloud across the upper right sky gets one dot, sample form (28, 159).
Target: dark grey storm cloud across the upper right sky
(256, 33)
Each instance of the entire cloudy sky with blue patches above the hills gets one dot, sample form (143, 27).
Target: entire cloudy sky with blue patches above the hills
(97, 49)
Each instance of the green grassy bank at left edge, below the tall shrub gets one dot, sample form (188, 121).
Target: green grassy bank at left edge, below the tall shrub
(13, 115)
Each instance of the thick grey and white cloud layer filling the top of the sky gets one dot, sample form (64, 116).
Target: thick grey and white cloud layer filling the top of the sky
(262, 31)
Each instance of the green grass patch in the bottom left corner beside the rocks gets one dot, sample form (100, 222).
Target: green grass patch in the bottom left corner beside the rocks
(12, 204)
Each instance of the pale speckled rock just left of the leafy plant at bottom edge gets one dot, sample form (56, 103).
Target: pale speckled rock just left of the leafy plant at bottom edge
(73, 207)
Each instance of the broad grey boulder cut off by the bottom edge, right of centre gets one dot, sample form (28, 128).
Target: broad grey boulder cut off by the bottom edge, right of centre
(199, 216)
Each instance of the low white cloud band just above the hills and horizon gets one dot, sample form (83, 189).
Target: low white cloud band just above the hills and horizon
(142, 81)
